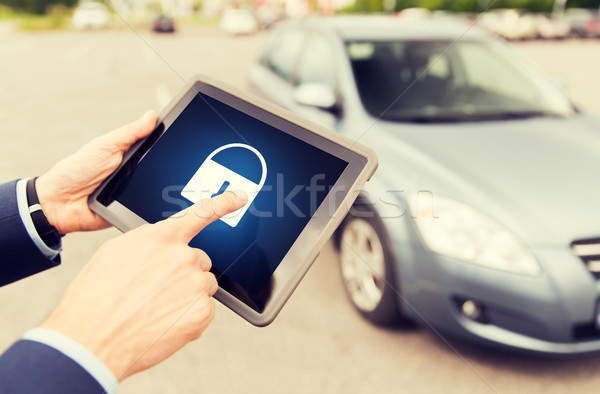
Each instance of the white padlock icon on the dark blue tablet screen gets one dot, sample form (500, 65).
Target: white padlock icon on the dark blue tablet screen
(212, 179)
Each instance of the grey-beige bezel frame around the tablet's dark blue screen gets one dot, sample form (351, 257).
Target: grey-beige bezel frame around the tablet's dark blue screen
(362, 163)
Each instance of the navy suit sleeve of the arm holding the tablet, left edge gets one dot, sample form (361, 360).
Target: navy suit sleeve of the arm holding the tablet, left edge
(19, 257)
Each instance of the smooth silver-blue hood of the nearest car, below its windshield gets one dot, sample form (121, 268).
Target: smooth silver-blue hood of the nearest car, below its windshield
(539, 177)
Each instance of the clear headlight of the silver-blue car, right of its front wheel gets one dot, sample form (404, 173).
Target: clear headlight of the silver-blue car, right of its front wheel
(454, 229)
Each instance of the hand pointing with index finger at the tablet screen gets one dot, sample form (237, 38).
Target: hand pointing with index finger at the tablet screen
(146, 293)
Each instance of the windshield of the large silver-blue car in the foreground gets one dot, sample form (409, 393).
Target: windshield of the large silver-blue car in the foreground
(439, 81)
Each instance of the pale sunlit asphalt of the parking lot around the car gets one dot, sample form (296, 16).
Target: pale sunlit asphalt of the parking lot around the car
(60, 89)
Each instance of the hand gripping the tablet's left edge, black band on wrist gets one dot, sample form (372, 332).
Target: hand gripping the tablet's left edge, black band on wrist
(64, 190)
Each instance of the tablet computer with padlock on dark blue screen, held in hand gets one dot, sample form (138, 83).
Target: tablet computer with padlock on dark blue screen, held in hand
(301, 179)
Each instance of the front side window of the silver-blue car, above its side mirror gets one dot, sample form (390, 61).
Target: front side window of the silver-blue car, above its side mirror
(317, 63)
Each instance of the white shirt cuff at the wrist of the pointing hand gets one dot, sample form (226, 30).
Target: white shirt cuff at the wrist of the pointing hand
(78, 353)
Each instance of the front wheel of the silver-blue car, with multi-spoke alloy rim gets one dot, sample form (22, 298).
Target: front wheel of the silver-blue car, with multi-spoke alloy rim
(366, 262)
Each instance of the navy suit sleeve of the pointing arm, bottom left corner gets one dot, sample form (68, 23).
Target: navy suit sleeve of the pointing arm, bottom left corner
(32, 367)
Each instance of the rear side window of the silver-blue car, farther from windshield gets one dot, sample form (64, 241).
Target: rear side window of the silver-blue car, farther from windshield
(284, 52)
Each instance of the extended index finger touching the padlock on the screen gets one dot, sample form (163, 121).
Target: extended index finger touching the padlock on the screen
(192, 220)
